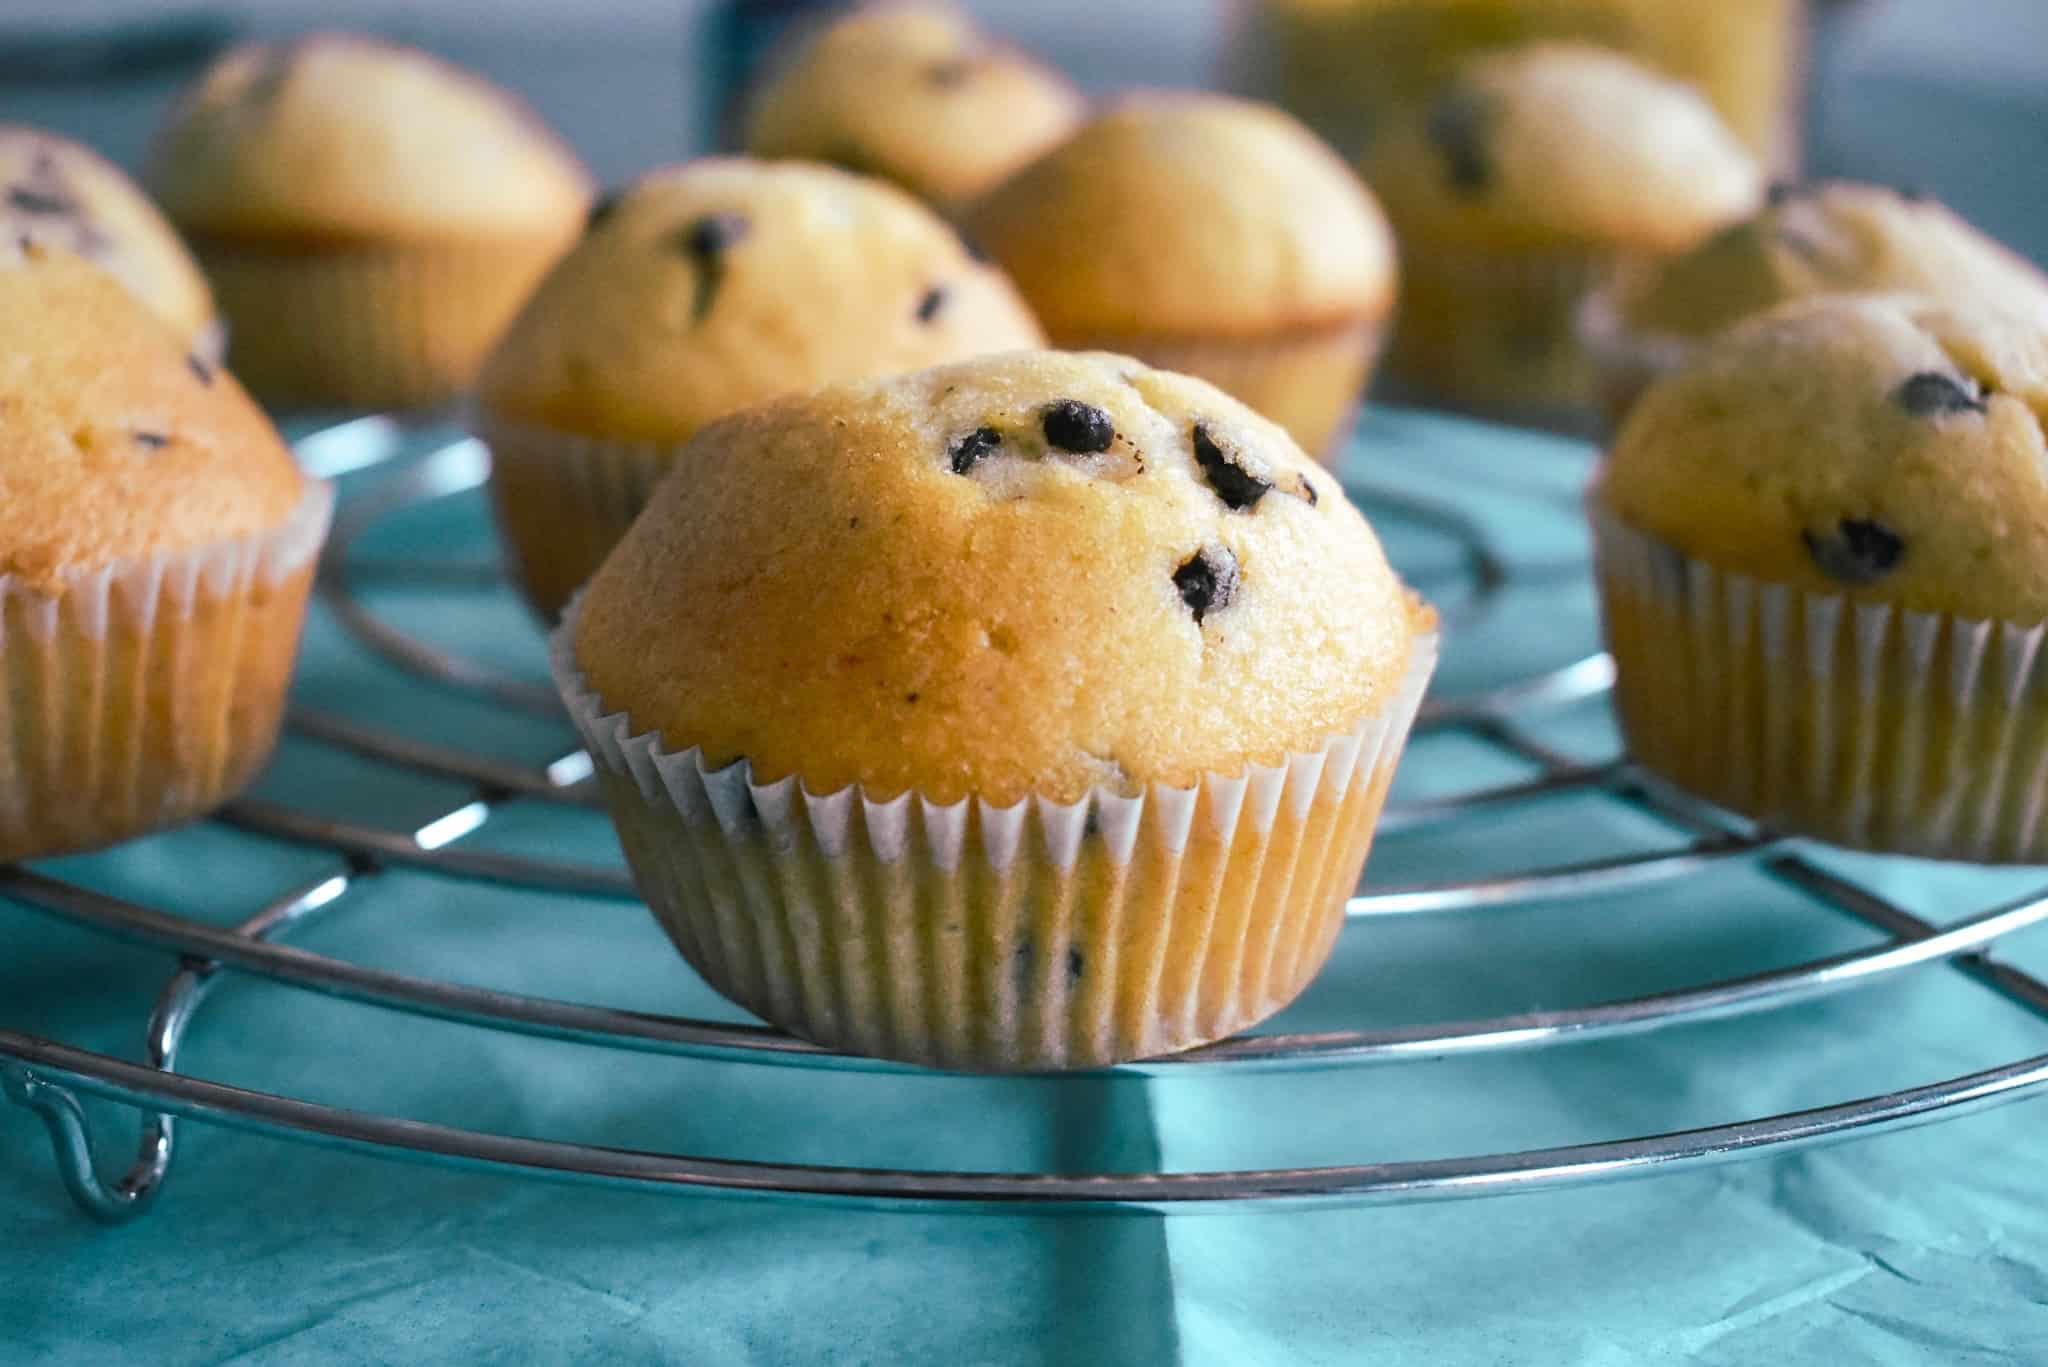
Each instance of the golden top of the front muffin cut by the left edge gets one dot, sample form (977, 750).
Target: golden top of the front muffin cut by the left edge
(114, 440)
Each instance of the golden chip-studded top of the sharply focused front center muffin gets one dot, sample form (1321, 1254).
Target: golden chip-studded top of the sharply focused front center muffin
(1007, 577)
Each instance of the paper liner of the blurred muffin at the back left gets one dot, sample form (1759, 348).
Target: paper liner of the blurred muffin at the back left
(370, 327)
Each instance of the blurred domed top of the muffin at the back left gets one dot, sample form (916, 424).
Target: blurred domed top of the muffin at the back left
(339, 138)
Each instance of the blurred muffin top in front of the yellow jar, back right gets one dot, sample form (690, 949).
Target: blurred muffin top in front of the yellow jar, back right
(1564, 147)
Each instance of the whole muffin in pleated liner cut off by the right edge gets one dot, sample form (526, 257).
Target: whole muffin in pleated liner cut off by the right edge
(1824, 565)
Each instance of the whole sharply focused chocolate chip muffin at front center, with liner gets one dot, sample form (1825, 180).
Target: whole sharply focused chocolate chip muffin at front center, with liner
(1031, 712)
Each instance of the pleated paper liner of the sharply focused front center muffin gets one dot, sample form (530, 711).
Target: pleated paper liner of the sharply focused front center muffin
(1000, 938)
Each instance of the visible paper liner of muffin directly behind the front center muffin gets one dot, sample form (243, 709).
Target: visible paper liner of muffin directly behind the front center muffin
(564, 501)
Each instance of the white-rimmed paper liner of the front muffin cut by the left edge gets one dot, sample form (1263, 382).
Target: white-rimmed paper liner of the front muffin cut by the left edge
(151, 690)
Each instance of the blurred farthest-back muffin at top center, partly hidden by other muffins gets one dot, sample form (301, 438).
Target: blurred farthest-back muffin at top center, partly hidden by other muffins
(919, 95)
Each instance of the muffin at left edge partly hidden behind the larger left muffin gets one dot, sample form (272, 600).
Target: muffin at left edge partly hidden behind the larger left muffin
(62, 194)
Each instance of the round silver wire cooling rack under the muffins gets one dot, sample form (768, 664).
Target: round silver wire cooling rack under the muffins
(52, 1077)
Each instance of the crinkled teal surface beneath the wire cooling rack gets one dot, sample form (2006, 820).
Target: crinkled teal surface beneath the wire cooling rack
(1904, 1249)
